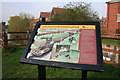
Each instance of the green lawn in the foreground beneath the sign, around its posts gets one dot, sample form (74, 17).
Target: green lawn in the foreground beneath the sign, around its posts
(13, 69)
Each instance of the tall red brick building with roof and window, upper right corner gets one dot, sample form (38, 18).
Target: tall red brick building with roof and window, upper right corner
(113, 17)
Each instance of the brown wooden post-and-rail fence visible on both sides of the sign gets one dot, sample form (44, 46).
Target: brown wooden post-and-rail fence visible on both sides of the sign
(5, 45)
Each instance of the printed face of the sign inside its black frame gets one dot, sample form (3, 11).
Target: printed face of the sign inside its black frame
(65, 43)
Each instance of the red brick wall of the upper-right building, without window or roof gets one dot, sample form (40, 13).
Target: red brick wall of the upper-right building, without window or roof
(112, 10)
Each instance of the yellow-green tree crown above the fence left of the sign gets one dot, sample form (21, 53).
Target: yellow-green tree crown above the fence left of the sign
(20, 23)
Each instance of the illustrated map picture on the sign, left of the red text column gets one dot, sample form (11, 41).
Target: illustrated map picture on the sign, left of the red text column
(56, 44)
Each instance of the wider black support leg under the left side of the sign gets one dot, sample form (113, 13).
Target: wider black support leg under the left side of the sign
(41, 72)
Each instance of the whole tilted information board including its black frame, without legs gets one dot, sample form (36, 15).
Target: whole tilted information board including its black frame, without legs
(74, 45)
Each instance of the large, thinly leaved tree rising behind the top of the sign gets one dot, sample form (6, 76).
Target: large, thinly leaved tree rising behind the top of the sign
(76, 11)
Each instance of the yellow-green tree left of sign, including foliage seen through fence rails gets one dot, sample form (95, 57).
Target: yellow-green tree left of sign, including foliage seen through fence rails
(19, 23)
